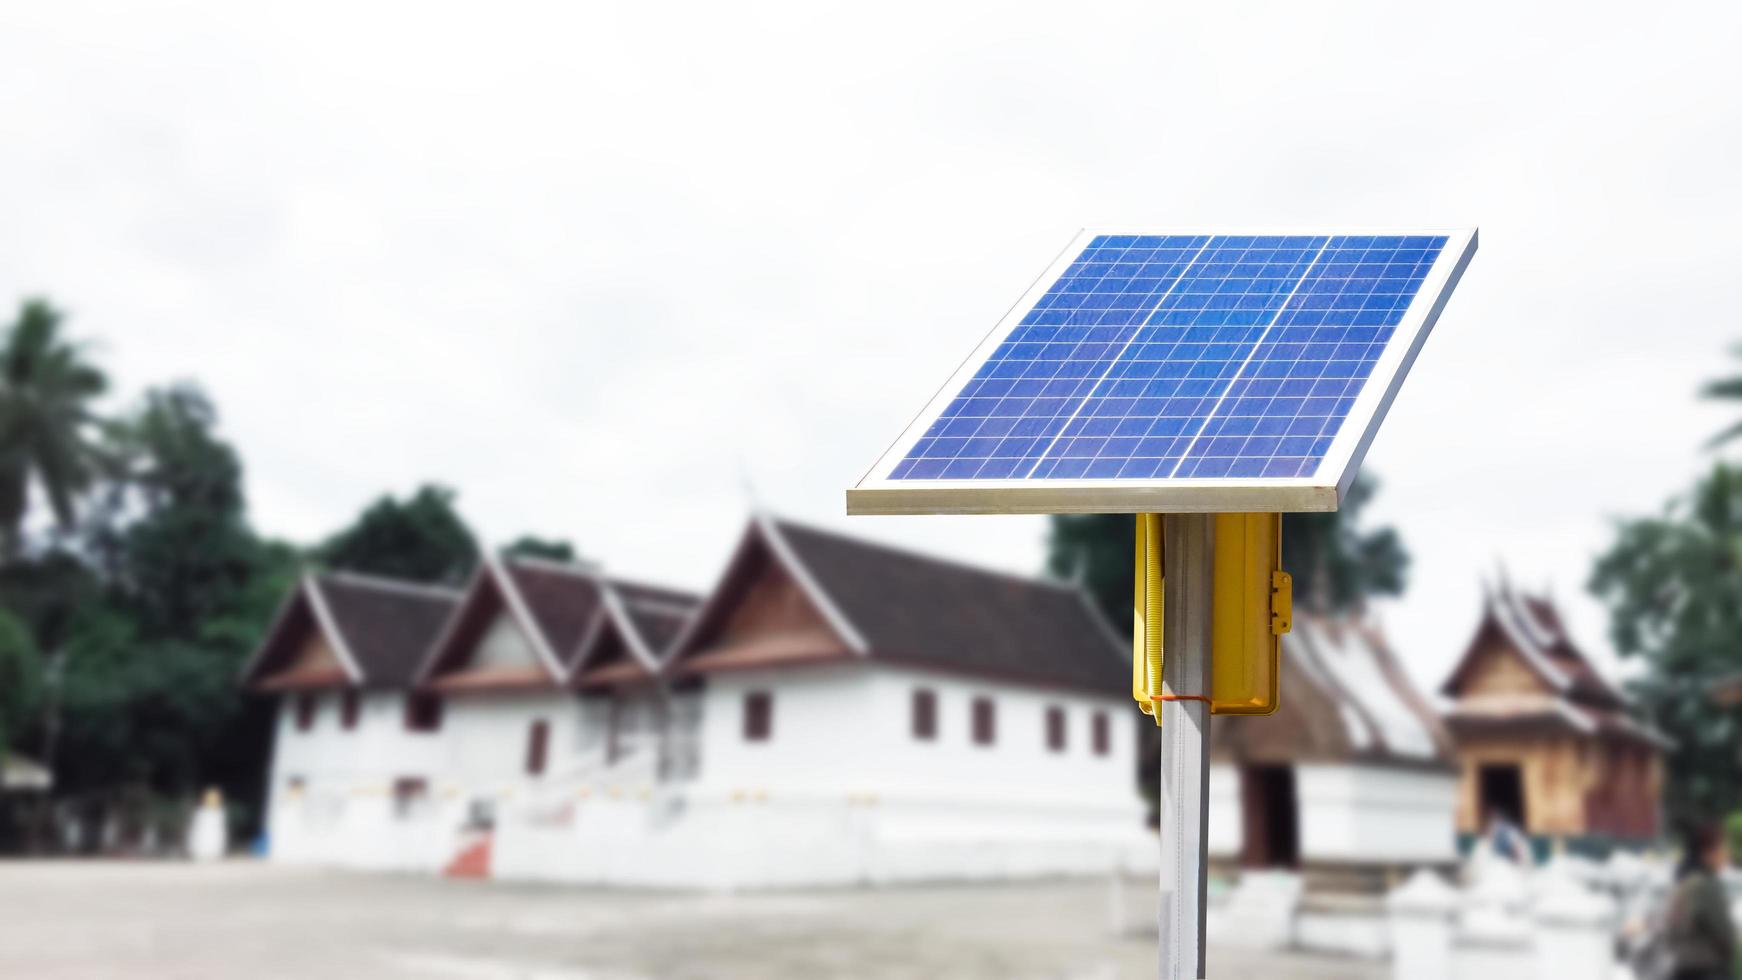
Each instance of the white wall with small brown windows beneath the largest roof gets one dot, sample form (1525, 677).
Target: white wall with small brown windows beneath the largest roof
(842, 793)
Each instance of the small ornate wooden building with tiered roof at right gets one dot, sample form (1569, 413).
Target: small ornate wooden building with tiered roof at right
(1544, 741)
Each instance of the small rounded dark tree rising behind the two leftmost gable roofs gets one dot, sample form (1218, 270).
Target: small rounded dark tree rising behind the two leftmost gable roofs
(421, 539)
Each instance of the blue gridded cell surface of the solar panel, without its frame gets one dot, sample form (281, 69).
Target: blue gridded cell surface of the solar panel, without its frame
(1156, 358)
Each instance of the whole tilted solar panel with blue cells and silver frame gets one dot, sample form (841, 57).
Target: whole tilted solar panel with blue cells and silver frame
(1178, 372)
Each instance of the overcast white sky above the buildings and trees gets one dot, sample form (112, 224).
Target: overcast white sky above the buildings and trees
(604, 267)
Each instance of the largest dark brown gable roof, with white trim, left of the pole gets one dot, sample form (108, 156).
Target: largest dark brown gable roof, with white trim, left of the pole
(900, 607)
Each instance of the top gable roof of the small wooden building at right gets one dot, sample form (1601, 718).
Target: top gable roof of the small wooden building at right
(1532, 628)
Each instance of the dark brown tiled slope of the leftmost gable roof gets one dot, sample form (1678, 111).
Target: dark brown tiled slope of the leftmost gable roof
(388, 626)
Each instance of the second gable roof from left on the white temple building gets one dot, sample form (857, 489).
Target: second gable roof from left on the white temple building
(551, 603)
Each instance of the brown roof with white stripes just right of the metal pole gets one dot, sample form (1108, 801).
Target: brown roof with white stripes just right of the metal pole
(1344, 697)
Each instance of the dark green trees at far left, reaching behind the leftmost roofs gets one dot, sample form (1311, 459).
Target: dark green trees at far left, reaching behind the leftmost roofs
(132, 603)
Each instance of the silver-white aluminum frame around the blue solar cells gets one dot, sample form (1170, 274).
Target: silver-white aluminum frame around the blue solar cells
(1323, 492)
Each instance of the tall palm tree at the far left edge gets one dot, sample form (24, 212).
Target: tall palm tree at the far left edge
(46, 420)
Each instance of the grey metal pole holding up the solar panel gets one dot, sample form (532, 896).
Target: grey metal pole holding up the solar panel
(1191, 556)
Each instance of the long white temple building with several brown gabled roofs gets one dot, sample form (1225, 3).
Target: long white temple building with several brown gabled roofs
(834, 713)
